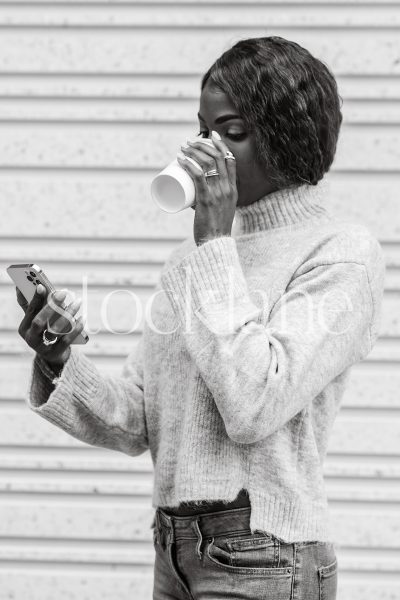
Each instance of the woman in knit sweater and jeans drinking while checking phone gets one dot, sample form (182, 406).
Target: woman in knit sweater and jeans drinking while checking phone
(236, 381)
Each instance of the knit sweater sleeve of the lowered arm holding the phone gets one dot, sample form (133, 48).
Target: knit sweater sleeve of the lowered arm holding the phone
(100, 410)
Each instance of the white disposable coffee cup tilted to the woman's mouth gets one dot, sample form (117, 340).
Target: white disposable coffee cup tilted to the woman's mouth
(173, 188)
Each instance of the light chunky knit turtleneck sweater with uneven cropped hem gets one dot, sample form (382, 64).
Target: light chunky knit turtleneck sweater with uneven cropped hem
(237, 380)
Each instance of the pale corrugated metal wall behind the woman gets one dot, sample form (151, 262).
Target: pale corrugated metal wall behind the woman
(95, 98)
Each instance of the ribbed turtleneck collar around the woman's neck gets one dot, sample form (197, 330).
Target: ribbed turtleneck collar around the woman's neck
(282, 208)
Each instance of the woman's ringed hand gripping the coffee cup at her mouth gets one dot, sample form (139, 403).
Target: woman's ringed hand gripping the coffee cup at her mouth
(216, 196)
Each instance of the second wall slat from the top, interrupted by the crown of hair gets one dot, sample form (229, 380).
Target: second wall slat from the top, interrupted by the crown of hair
(152, 50)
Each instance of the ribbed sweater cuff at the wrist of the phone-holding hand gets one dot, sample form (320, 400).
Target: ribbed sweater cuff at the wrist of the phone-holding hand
(78, 382)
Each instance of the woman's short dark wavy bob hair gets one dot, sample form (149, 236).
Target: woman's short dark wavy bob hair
(289, 99)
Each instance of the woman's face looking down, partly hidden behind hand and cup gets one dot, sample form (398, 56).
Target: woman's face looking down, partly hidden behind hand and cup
(251, 179)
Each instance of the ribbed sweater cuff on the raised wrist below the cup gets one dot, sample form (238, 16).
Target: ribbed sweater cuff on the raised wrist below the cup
(207, 280)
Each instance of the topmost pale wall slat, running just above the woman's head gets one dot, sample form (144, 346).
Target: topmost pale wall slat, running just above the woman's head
(307, 15)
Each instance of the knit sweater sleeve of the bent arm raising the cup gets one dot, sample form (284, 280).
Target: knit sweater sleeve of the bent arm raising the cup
(265, 364)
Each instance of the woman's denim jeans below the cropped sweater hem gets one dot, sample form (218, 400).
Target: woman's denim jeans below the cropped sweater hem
(214, 556)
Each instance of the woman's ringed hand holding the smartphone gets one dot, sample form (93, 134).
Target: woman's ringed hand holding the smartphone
(40, 315)
